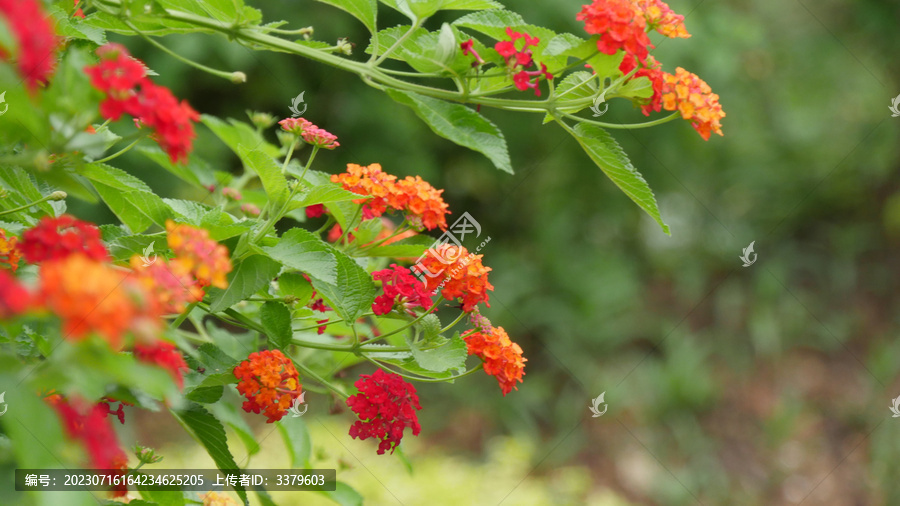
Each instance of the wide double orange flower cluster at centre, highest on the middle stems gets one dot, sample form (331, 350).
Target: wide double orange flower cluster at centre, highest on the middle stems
(421, 202)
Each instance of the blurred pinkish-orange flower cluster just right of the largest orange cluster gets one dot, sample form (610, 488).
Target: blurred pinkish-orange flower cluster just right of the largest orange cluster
(172, 286)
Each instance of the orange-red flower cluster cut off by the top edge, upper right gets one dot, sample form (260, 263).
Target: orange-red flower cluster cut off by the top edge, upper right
(620, 24)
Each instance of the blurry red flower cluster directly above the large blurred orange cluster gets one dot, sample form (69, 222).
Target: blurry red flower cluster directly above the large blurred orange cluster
(57, 238)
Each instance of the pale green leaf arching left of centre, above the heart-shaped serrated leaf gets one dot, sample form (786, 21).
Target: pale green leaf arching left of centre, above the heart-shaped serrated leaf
(304, 251)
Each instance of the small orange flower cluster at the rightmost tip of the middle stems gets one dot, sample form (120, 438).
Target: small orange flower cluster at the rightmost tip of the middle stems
(502, 358)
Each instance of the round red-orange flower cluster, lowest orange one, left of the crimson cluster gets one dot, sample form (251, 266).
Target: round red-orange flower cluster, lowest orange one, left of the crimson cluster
(270, 383)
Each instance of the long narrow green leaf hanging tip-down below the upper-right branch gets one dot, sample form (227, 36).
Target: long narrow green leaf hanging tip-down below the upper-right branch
(613, 161)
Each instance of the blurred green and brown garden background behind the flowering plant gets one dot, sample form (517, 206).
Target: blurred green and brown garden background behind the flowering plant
(763, 385)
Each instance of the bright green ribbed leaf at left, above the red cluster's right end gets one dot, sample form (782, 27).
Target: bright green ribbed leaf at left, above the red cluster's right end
(129, 198)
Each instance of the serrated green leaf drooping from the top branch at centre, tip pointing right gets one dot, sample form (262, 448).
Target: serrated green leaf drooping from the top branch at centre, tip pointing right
(459, 124)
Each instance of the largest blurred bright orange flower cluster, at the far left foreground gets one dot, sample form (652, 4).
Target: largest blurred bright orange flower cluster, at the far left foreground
(91, 296)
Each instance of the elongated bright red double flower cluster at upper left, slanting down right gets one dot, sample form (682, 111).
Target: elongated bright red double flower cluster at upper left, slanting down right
(129, 90)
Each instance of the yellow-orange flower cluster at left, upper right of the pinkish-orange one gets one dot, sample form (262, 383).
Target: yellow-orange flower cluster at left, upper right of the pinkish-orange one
(196, 253)
